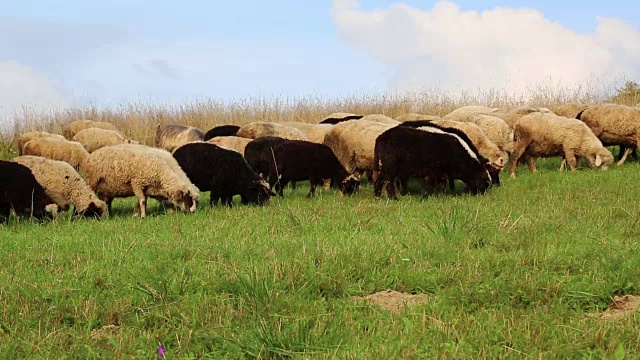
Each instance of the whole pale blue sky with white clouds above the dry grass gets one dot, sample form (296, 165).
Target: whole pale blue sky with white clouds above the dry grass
(60, 53)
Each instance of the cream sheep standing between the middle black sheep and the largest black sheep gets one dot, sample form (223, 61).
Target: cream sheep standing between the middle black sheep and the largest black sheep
(353, 143)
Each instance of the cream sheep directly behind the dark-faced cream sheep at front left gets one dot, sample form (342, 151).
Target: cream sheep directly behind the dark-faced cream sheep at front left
(71, 152)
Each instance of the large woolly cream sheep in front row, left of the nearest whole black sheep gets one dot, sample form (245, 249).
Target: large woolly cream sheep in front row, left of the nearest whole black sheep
(118, 171)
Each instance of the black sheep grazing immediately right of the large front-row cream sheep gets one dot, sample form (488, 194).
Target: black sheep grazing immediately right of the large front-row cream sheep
(223, 172)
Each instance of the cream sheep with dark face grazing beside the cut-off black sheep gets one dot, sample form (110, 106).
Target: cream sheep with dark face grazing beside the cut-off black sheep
(64, 185)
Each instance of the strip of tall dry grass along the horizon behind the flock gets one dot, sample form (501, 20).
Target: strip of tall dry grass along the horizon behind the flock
(138, 120)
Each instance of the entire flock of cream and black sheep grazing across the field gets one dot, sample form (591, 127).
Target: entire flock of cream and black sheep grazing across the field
(472, 144)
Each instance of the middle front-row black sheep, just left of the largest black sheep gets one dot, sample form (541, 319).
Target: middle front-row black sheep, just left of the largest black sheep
(297, 160)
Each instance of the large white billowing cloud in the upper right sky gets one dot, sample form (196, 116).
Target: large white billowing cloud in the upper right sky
(508, 48)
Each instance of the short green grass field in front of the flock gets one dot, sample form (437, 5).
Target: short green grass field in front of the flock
(511, 274)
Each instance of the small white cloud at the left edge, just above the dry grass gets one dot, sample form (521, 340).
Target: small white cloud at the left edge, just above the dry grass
(23, 88)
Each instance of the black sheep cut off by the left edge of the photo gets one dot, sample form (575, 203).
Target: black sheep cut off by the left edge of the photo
(20, 191)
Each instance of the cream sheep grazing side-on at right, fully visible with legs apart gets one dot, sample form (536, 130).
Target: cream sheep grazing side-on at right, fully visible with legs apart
(546, 135)
